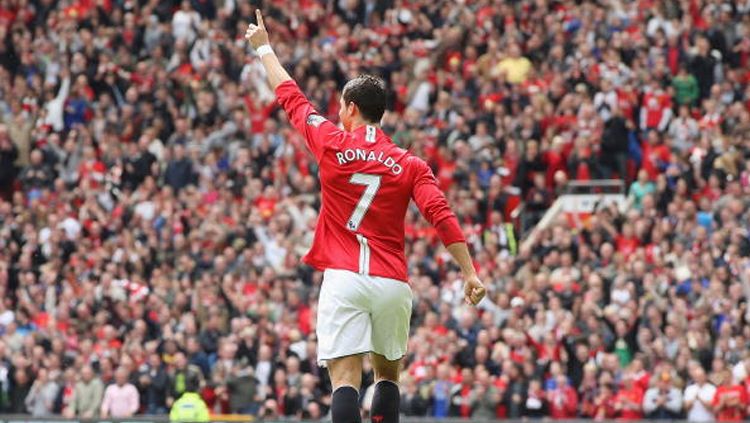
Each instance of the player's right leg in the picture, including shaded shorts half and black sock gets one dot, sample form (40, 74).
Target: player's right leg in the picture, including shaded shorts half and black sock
(391, 314)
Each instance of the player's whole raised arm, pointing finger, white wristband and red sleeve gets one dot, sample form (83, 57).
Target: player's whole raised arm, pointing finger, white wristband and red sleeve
(317, 130)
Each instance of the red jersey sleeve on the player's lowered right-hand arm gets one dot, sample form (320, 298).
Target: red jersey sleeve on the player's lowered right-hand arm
(433, 204)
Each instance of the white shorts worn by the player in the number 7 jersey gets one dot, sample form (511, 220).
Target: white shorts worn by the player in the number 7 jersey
(359, 314)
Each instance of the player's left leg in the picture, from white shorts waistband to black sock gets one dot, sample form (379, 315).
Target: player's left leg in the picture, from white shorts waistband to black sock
(344, 332)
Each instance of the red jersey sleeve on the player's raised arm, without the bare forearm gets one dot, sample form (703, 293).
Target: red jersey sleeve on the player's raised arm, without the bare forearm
(318, 131)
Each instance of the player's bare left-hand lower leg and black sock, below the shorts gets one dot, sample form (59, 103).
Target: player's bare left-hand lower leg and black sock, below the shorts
(346, 378)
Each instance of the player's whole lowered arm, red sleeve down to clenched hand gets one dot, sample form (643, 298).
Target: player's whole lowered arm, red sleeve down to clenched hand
(434, 207)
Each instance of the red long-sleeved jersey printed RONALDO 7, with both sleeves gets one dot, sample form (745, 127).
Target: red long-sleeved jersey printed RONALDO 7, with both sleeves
(366, 183)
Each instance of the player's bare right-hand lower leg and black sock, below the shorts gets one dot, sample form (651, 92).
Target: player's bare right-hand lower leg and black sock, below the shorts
(386, 398)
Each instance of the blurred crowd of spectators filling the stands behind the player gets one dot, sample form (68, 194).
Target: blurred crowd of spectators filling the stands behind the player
(155, 204)
